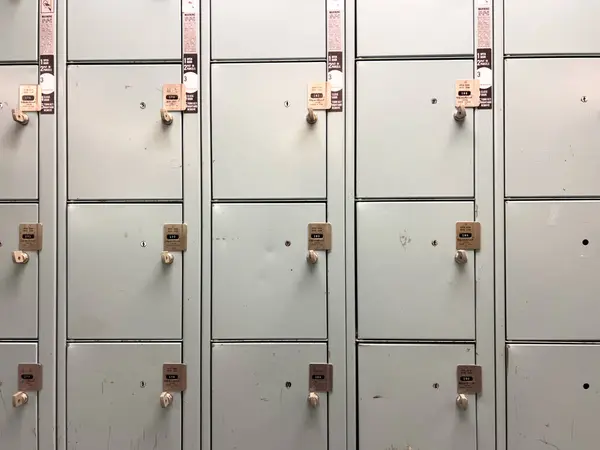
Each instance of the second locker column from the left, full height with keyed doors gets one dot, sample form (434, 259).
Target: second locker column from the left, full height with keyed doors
(129, 185)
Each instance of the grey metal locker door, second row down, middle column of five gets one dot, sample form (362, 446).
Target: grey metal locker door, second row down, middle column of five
(262, 144)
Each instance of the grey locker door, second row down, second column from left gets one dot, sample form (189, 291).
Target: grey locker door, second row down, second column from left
(117, 129)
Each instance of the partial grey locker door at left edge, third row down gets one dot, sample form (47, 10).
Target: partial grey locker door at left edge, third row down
(18, 279)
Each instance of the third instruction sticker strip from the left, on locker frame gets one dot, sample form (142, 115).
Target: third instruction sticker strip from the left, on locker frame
(335, 54)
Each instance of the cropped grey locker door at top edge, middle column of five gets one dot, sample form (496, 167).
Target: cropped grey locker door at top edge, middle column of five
(268, 29)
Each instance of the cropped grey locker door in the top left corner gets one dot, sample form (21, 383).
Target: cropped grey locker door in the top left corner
(18, 32)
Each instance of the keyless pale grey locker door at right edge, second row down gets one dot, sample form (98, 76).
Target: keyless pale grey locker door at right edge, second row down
(551, 139)
